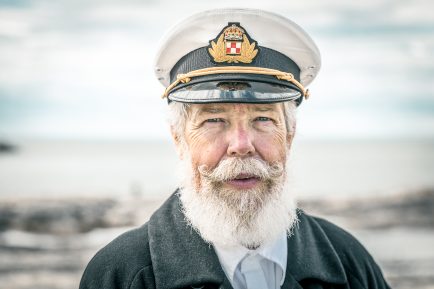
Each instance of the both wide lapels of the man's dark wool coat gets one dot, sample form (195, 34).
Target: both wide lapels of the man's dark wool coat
(181, 258)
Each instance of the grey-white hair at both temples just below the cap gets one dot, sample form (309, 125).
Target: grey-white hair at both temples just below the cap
(179, 113)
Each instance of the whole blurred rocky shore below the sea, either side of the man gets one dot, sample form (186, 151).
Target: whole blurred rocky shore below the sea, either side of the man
(47, 243)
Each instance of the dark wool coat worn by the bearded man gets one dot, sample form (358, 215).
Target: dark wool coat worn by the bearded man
(166, 253)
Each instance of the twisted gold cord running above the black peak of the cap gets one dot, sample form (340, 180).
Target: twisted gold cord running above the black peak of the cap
(185, 78)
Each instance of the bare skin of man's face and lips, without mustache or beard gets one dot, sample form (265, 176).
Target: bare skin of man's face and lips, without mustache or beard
(216, 132)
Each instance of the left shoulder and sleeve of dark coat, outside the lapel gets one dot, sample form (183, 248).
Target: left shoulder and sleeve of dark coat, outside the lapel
(122, 263)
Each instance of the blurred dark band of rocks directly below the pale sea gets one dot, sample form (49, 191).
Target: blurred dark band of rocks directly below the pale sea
(70, 216)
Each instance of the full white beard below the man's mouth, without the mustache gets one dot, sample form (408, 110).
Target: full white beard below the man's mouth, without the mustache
(228, 217)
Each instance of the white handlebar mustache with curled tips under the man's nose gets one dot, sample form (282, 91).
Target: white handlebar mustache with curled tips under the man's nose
(231, 168)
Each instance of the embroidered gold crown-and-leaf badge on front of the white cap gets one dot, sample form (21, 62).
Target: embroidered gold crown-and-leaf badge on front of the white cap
(233, 45)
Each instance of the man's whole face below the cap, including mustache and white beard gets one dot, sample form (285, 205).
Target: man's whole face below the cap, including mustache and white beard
(235, 186)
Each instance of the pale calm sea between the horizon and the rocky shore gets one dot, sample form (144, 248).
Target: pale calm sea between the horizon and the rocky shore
(149, 169)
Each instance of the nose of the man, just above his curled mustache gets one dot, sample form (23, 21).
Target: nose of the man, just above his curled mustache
(240, 142)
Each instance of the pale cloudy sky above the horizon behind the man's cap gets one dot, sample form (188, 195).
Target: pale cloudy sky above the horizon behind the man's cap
(75, 69)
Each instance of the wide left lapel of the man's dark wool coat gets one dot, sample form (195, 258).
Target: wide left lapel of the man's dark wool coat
(180, 257)
